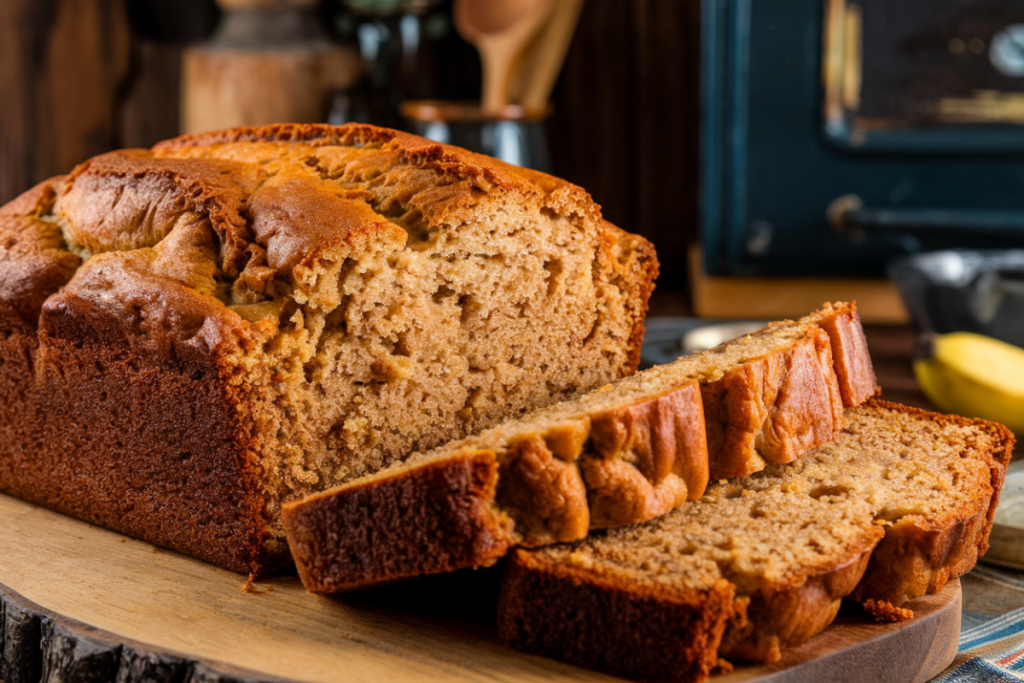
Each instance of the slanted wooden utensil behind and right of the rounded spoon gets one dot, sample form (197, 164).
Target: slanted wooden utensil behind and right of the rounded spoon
(543, 59)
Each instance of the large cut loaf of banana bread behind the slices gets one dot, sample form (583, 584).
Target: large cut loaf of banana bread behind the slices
(195, 334)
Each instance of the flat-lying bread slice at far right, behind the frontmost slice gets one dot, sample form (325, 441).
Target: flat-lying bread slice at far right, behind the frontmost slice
(933, 482)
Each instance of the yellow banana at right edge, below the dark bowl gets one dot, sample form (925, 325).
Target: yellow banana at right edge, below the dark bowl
(975, 376)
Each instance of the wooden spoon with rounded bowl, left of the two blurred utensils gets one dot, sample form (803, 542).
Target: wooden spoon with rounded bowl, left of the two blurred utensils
(500, 30)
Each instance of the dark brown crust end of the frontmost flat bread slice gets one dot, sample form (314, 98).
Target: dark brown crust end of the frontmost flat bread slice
(574, 616)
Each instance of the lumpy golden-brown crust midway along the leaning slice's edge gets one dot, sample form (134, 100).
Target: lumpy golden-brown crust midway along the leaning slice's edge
(645, 459)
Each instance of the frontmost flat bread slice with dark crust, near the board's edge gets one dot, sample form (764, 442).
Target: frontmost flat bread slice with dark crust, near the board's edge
(609, 603)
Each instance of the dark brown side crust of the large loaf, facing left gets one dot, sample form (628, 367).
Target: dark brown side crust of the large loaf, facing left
(79, 369)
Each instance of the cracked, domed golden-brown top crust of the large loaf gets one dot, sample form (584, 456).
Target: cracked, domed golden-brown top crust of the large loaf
(241, 218)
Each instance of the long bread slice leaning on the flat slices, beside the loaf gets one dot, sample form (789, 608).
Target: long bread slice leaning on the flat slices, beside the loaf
(619, 456)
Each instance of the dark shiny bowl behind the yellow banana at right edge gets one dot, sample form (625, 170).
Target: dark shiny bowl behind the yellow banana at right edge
(965, 291)
